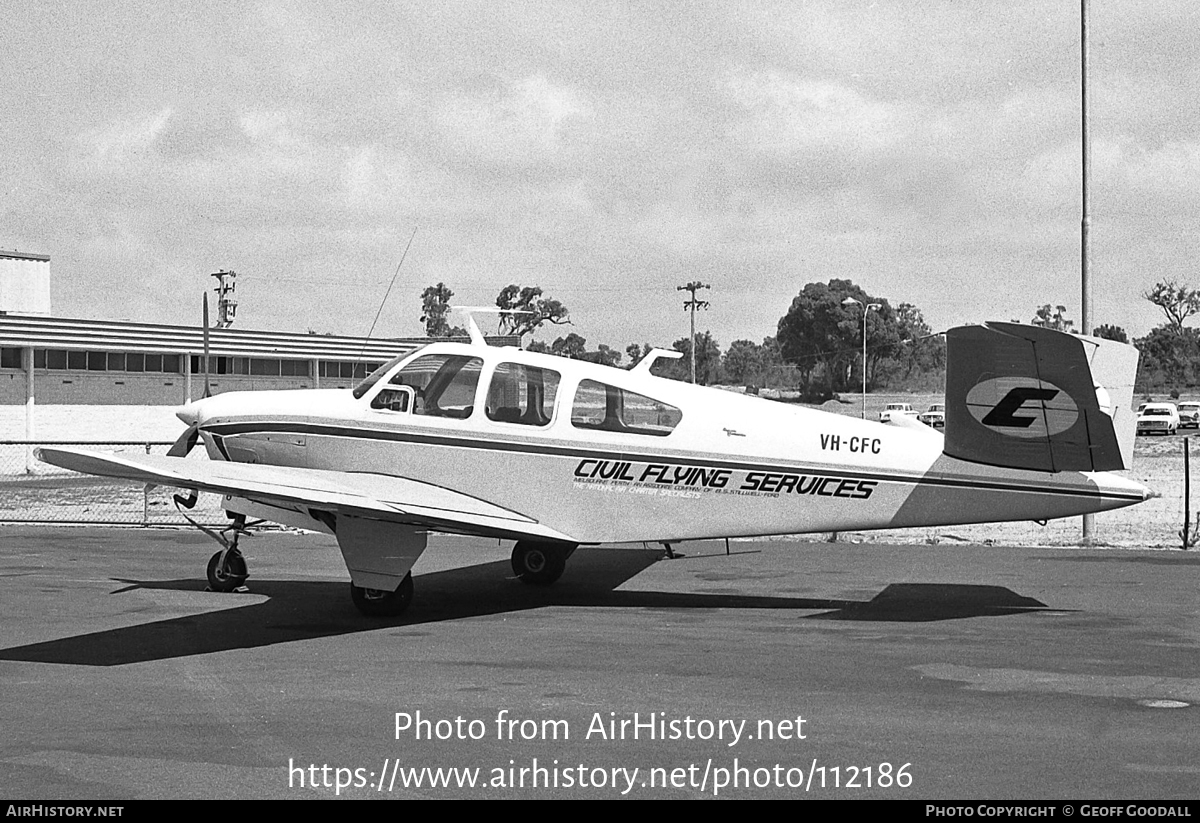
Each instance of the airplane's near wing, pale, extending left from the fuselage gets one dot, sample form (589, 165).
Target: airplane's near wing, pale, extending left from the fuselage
(358, 495)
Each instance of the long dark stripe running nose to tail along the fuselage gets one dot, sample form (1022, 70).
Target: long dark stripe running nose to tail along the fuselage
(544, 449)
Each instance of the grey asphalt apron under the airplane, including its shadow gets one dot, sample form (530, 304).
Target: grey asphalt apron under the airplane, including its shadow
(927, 672)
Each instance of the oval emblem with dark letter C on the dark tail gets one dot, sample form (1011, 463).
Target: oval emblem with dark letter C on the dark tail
(1023, 407)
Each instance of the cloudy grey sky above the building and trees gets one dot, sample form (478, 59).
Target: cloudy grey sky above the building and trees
(608, 153)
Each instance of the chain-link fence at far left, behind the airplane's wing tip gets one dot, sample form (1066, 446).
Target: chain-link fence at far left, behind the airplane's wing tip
(35, 492)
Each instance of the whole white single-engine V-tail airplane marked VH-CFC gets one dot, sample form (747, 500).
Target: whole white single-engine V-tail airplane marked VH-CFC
(551, 453)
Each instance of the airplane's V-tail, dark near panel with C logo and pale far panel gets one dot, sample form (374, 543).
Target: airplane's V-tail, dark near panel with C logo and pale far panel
(1028, 398)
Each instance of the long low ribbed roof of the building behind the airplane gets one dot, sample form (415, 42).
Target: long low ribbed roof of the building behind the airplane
(53, 333)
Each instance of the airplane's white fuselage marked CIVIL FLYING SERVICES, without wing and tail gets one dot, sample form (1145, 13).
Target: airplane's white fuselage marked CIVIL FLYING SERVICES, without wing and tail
(710, 465)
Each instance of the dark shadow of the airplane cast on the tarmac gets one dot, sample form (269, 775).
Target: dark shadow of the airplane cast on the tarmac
(305, 610)
